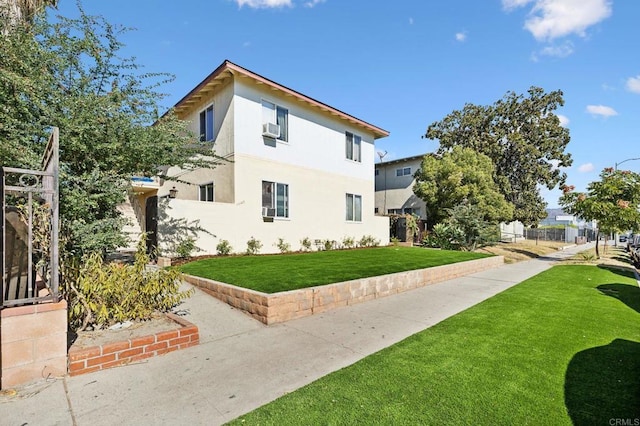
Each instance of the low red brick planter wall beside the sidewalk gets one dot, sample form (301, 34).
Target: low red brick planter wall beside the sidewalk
(87, 360)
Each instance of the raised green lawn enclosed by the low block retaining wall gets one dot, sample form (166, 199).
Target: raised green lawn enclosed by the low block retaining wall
(271, 274)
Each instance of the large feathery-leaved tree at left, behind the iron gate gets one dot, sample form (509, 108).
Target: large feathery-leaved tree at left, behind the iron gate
(69, 74)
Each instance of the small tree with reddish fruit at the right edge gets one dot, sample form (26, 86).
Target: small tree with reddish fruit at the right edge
(613, 202)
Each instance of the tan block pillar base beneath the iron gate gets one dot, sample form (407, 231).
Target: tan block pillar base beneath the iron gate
(33, 343)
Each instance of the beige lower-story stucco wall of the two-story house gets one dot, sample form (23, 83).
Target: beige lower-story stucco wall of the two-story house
(317, 209)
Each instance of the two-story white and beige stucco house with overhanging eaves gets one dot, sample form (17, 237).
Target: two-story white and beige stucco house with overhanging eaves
(297, 168)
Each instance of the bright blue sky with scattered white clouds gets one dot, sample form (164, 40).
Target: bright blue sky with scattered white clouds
(402, 65)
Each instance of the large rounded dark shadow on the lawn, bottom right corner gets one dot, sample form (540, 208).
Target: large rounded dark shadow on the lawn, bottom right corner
(602, 384)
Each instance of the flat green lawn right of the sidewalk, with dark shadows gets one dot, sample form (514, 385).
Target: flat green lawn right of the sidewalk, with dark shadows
(560, 348)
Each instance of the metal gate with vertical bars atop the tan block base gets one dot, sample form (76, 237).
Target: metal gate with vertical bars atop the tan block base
(29, 257)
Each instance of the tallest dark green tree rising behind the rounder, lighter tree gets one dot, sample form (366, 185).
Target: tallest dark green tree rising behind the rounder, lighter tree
(524, 139)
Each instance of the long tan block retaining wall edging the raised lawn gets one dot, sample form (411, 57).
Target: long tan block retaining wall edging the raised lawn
(288, 305)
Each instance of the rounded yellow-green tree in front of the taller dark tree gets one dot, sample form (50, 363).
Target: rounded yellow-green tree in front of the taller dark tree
(459, 176)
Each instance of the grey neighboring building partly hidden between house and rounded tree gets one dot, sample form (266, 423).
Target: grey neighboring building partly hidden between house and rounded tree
(394, 187)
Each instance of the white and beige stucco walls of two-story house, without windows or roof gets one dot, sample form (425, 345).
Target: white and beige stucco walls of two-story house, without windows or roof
(312, 163)
